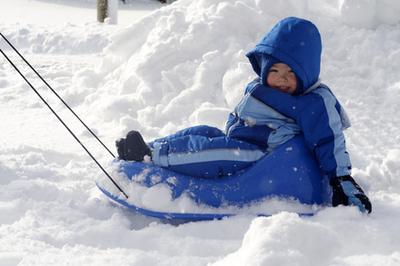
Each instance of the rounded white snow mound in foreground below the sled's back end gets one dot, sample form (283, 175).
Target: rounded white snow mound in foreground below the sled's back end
(285, 240)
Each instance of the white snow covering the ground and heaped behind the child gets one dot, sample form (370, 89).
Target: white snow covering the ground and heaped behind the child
(162, 68)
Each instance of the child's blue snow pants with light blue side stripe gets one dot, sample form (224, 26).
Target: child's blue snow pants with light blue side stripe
(204, 151)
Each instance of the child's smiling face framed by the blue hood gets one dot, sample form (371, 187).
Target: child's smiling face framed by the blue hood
(280, 76)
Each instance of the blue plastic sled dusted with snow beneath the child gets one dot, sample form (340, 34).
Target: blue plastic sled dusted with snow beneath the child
(290, 171)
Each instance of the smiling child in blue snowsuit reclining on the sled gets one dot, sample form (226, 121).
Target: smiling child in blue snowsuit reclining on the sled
(285, 100)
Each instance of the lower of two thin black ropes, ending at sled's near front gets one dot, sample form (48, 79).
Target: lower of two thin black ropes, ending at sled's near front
(62, 122)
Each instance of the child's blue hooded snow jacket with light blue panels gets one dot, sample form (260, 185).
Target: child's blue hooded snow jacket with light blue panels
(268, 117)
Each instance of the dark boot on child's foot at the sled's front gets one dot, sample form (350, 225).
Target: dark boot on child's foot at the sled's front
(133, 148)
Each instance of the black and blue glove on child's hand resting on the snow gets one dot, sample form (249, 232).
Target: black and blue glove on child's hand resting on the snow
(347, 192)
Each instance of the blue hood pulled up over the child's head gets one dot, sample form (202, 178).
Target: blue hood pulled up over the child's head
(295, 42)
